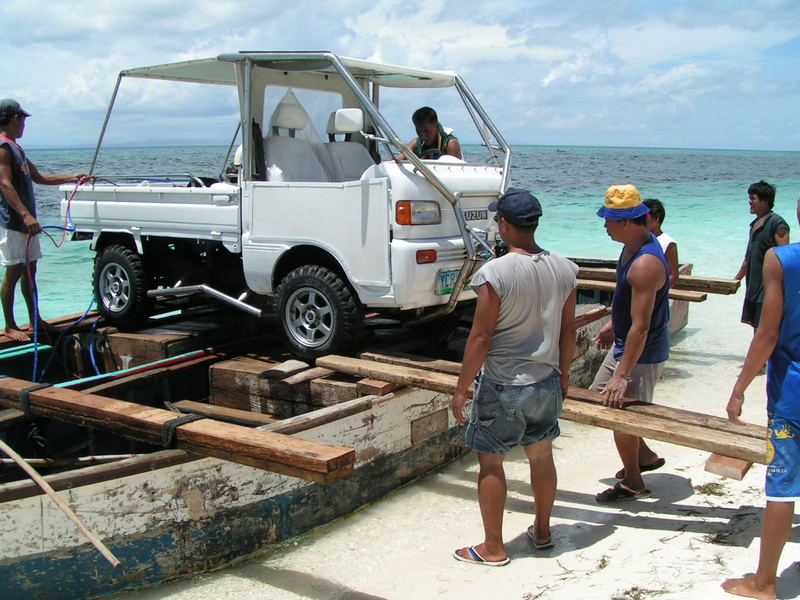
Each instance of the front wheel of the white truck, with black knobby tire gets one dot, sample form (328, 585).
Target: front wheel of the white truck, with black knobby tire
(319, 313)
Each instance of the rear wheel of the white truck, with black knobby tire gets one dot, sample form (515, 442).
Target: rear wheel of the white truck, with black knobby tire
(120, 286)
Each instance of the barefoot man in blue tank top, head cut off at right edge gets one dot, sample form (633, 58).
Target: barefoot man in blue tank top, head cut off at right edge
(777, 338)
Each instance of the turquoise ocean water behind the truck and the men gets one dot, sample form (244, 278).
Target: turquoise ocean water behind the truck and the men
(704, 193)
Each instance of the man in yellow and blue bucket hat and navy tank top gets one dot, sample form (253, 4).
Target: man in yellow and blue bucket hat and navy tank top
(638, 331)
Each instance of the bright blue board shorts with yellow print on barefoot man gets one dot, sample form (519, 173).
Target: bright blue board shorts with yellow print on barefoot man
(783, 469)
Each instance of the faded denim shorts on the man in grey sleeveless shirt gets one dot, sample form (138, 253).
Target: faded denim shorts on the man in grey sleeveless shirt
(505, 416)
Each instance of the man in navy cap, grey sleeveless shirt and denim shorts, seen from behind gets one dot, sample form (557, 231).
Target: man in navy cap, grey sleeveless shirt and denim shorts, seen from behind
(523, 336)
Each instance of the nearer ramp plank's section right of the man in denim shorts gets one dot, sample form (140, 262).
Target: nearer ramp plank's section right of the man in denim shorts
(658, 428)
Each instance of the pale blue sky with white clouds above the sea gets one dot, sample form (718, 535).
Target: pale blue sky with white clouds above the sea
(650, 73)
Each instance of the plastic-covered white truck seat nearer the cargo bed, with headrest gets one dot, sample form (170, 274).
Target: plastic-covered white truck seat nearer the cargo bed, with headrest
(287, 157)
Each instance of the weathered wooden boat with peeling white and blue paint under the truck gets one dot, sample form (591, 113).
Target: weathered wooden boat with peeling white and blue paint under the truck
(166, 513)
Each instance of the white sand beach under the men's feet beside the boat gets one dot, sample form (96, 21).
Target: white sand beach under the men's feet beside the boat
(696, 530)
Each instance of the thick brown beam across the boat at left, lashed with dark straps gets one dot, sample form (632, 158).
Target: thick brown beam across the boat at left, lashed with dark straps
(313, 461)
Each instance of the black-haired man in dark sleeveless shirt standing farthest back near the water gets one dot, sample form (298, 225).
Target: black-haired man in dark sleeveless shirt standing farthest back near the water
(767, 230)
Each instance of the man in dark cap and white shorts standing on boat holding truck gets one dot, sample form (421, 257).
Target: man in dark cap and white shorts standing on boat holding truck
(18, 215)
